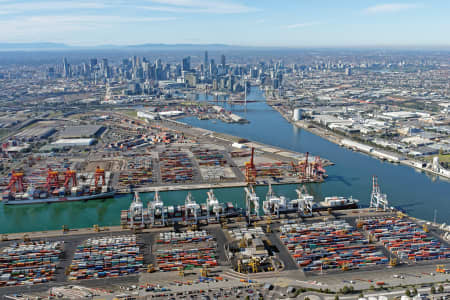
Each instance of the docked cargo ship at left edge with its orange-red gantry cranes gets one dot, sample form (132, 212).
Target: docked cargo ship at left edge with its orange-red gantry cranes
(56, 191)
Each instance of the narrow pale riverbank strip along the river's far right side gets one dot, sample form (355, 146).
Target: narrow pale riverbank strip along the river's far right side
(336, 139)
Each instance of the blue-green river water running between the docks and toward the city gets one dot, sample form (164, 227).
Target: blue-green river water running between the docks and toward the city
(417, 193)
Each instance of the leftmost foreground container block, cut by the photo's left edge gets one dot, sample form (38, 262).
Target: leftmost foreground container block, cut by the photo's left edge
(29, 263)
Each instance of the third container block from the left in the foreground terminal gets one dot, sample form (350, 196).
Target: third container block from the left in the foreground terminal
(188, 255)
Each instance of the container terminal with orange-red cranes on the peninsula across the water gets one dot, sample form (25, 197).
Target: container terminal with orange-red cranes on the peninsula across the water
(127, 154)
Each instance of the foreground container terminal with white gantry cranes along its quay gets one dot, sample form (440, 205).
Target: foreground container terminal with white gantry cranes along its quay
(161, 250)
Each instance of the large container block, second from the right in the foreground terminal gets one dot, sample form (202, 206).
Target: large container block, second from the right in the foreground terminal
(329, 245)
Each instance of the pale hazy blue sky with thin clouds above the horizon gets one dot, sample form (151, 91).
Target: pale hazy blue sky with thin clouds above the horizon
(240, 22)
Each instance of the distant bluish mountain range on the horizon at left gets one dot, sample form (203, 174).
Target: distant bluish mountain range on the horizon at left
(61, 46)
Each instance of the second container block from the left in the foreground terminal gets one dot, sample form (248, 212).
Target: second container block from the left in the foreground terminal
(106, 257)
